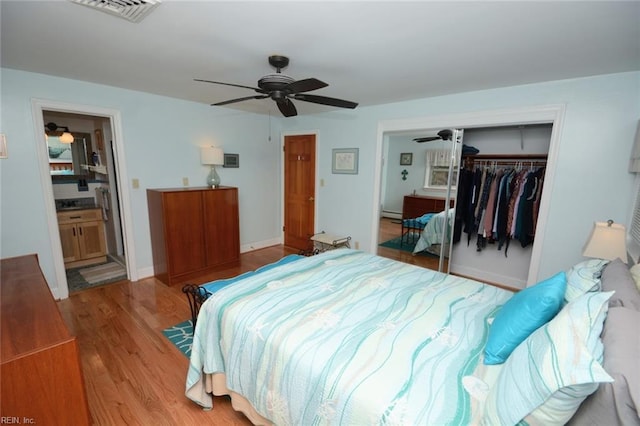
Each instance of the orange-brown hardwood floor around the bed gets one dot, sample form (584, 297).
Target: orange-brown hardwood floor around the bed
(133, 374)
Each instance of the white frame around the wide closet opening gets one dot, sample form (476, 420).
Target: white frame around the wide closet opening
(545, 114)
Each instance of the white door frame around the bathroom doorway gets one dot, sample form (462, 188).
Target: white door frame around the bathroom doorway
(117, 192)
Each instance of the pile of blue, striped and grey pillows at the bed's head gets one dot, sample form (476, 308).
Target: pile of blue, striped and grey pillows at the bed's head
(548, 337)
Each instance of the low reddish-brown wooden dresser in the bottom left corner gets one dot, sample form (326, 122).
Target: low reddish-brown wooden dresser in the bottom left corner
(42, 380)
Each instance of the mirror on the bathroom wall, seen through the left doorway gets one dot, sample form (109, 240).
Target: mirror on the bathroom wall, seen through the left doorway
(68, 161)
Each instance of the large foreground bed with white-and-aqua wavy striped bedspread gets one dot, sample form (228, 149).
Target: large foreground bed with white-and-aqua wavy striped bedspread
(346, 337)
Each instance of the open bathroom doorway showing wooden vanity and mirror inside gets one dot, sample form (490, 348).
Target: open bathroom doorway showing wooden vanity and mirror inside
(86, 196)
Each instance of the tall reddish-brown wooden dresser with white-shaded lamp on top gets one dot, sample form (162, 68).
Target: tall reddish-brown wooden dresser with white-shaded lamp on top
(194, 231)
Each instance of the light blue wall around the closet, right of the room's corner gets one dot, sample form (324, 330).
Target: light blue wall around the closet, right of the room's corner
(591, 182)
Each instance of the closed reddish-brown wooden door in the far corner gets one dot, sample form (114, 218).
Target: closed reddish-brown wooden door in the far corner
(299, 190)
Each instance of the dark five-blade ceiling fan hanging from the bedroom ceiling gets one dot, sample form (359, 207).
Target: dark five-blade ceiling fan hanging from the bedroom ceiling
(282, 89)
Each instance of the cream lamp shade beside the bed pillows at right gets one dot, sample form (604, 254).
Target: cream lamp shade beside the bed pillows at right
(607, 241)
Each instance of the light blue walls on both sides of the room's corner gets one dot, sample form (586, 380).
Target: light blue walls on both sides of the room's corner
(161, 137)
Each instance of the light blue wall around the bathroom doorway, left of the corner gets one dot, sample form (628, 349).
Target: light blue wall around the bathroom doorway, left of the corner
(161, 137)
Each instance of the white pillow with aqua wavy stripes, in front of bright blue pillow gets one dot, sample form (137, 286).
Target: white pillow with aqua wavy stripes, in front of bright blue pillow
(547, 376)
